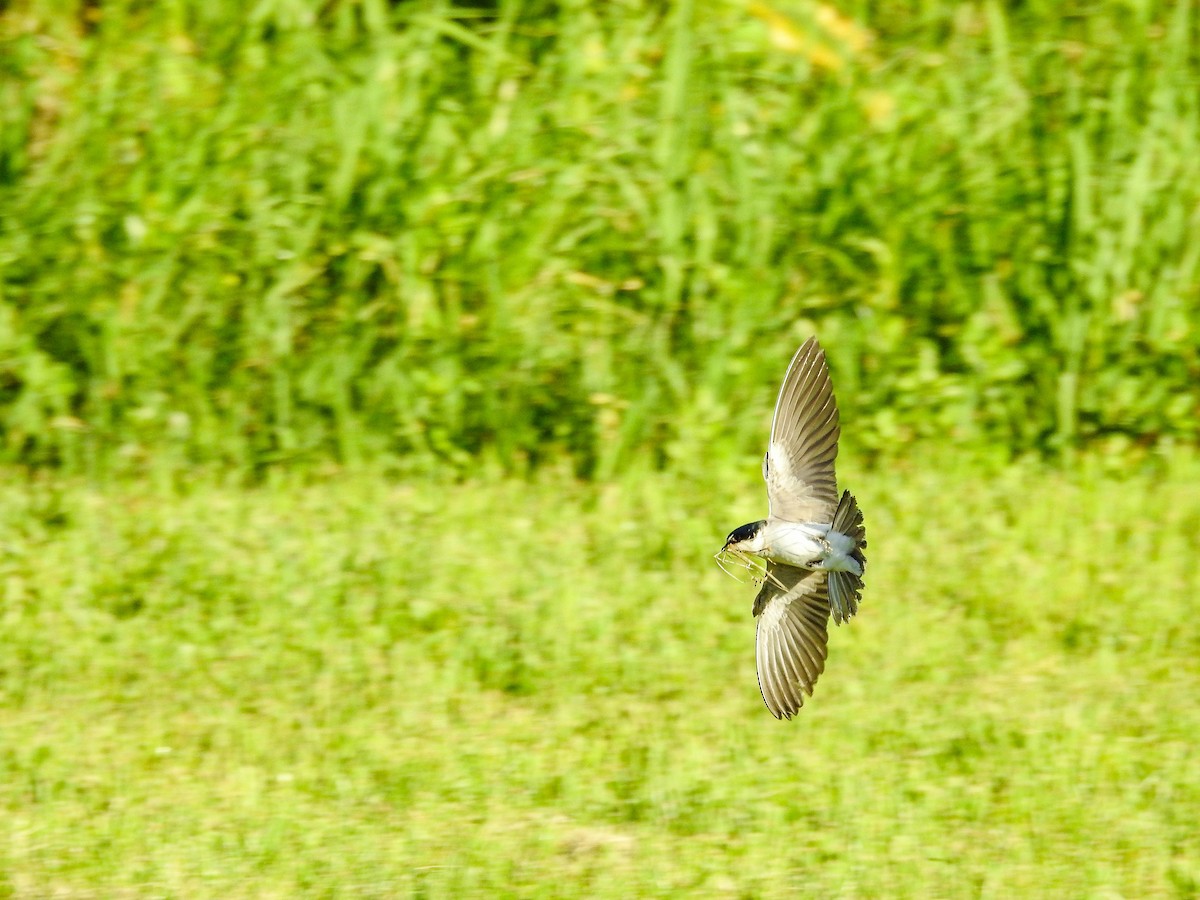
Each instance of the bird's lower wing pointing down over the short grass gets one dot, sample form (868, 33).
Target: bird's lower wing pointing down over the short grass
(794, 611)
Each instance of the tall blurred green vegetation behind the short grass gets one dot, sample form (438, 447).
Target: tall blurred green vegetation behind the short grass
(244, 233)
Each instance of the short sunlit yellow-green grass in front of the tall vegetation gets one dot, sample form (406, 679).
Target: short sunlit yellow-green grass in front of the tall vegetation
(502, 688)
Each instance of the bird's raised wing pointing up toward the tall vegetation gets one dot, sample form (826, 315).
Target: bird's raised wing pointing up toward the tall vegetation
(800, 463)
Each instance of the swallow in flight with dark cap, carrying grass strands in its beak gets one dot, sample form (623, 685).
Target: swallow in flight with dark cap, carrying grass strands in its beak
(812, 542)
